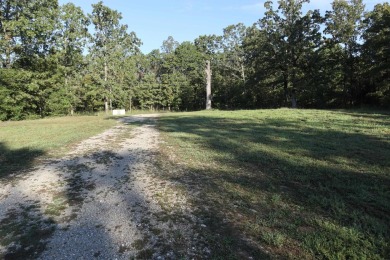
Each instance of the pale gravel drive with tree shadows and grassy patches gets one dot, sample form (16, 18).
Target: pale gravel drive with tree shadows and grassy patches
(103, 200)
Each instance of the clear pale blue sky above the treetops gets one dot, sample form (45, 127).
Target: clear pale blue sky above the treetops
(153, 21)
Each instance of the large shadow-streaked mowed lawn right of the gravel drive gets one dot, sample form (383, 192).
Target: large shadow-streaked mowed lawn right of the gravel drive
(284, 183)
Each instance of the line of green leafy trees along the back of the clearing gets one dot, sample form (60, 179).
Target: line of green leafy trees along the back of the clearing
(57, 60)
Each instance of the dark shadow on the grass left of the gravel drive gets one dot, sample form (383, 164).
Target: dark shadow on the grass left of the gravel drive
(16, 161)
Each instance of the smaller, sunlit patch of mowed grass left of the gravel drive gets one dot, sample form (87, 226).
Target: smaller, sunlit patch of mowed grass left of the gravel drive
(22, 143)
